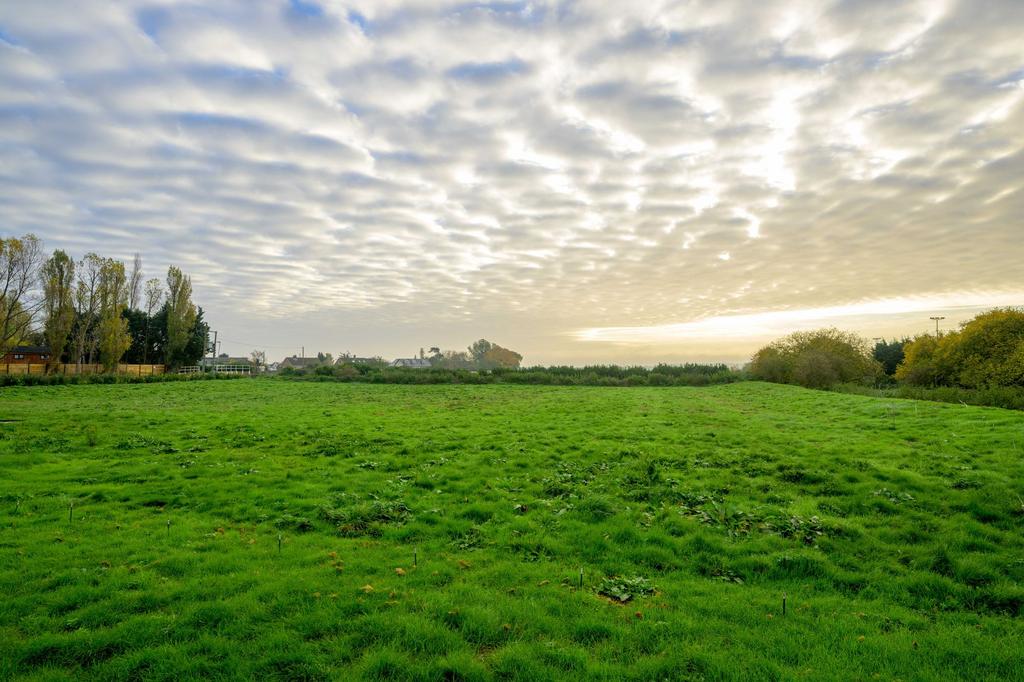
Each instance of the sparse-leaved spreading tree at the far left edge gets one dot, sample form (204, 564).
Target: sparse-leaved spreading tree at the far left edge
(20, 262)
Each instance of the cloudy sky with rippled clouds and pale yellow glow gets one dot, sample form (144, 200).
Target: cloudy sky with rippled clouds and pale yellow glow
(580, 182)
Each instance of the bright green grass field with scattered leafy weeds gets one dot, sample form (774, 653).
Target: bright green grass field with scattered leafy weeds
(439, 533)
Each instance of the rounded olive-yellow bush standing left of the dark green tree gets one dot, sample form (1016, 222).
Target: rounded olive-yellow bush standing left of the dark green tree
(817, 360)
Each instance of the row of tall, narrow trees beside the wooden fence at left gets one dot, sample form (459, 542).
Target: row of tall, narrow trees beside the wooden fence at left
(96, 311)
